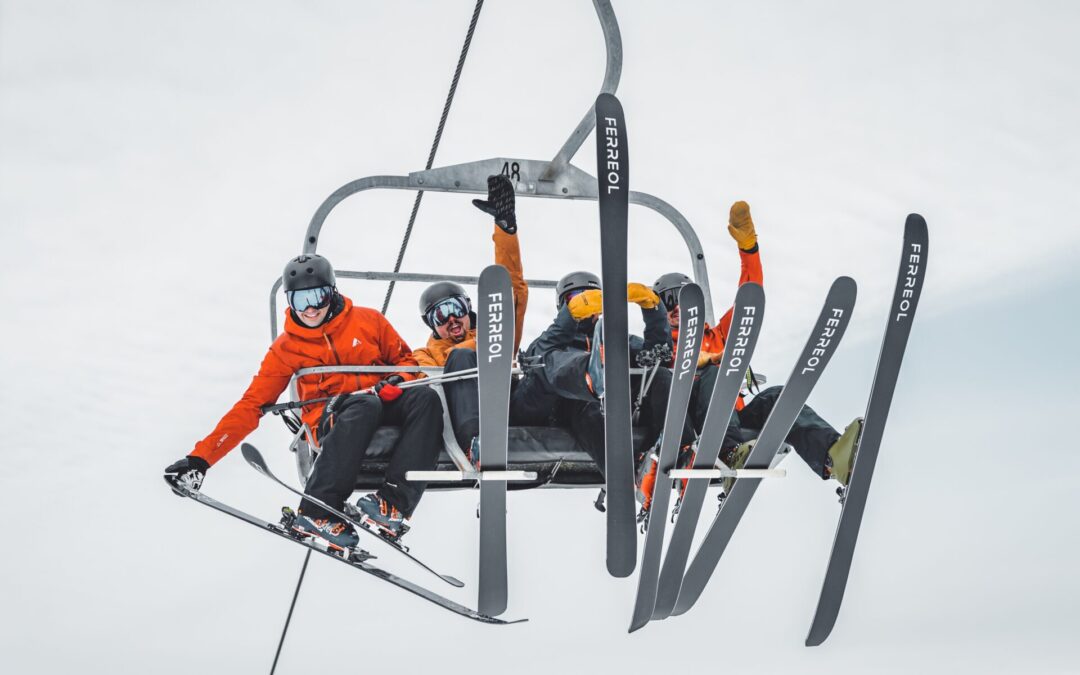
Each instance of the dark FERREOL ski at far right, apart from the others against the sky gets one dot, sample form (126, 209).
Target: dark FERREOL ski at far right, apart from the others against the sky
(906, 301)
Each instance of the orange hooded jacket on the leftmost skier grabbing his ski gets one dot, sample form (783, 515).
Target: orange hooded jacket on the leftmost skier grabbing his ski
(358, 336)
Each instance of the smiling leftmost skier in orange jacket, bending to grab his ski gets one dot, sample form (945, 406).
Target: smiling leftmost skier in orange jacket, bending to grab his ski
(326, 329)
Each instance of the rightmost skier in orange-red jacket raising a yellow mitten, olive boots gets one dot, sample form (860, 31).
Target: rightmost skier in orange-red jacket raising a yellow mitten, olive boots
(826, 451)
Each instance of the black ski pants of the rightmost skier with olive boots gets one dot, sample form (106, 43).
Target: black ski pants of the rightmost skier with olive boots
(811, 435)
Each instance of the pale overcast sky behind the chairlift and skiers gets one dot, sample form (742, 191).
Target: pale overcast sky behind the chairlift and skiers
(159, 164)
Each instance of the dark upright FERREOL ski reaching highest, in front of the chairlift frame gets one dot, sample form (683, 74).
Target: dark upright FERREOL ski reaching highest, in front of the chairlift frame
(613, 177)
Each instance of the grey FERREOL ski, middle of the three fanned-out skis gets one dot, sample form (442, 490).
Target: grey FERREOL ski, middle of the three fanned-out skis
(742, 339)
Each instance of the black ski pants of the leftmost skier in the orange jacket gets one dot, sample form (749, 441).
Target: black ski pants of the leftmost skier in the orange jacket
(347, 434)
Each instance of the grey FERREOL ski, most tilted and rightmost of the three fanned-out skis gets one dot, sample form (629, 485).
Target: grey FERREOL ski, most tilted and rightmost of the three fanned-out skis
(828, 333)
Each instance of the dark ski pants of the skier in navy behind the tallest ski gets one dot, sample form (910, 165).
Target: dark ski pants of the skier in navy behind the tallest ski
(571, 404)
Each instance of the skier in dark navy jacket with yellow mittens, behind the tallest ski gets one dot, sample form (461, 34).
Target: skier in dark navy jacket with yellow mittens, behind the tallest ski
(564, 367)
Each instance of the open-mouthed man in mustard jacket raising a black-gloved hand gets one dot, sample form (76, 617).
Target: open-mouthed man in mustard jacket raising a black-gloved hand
(447, 310)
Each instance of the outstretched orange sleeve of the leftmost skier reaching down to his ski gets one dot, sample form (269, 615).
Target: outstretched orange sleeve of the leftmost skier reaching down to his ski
(242, 420)
